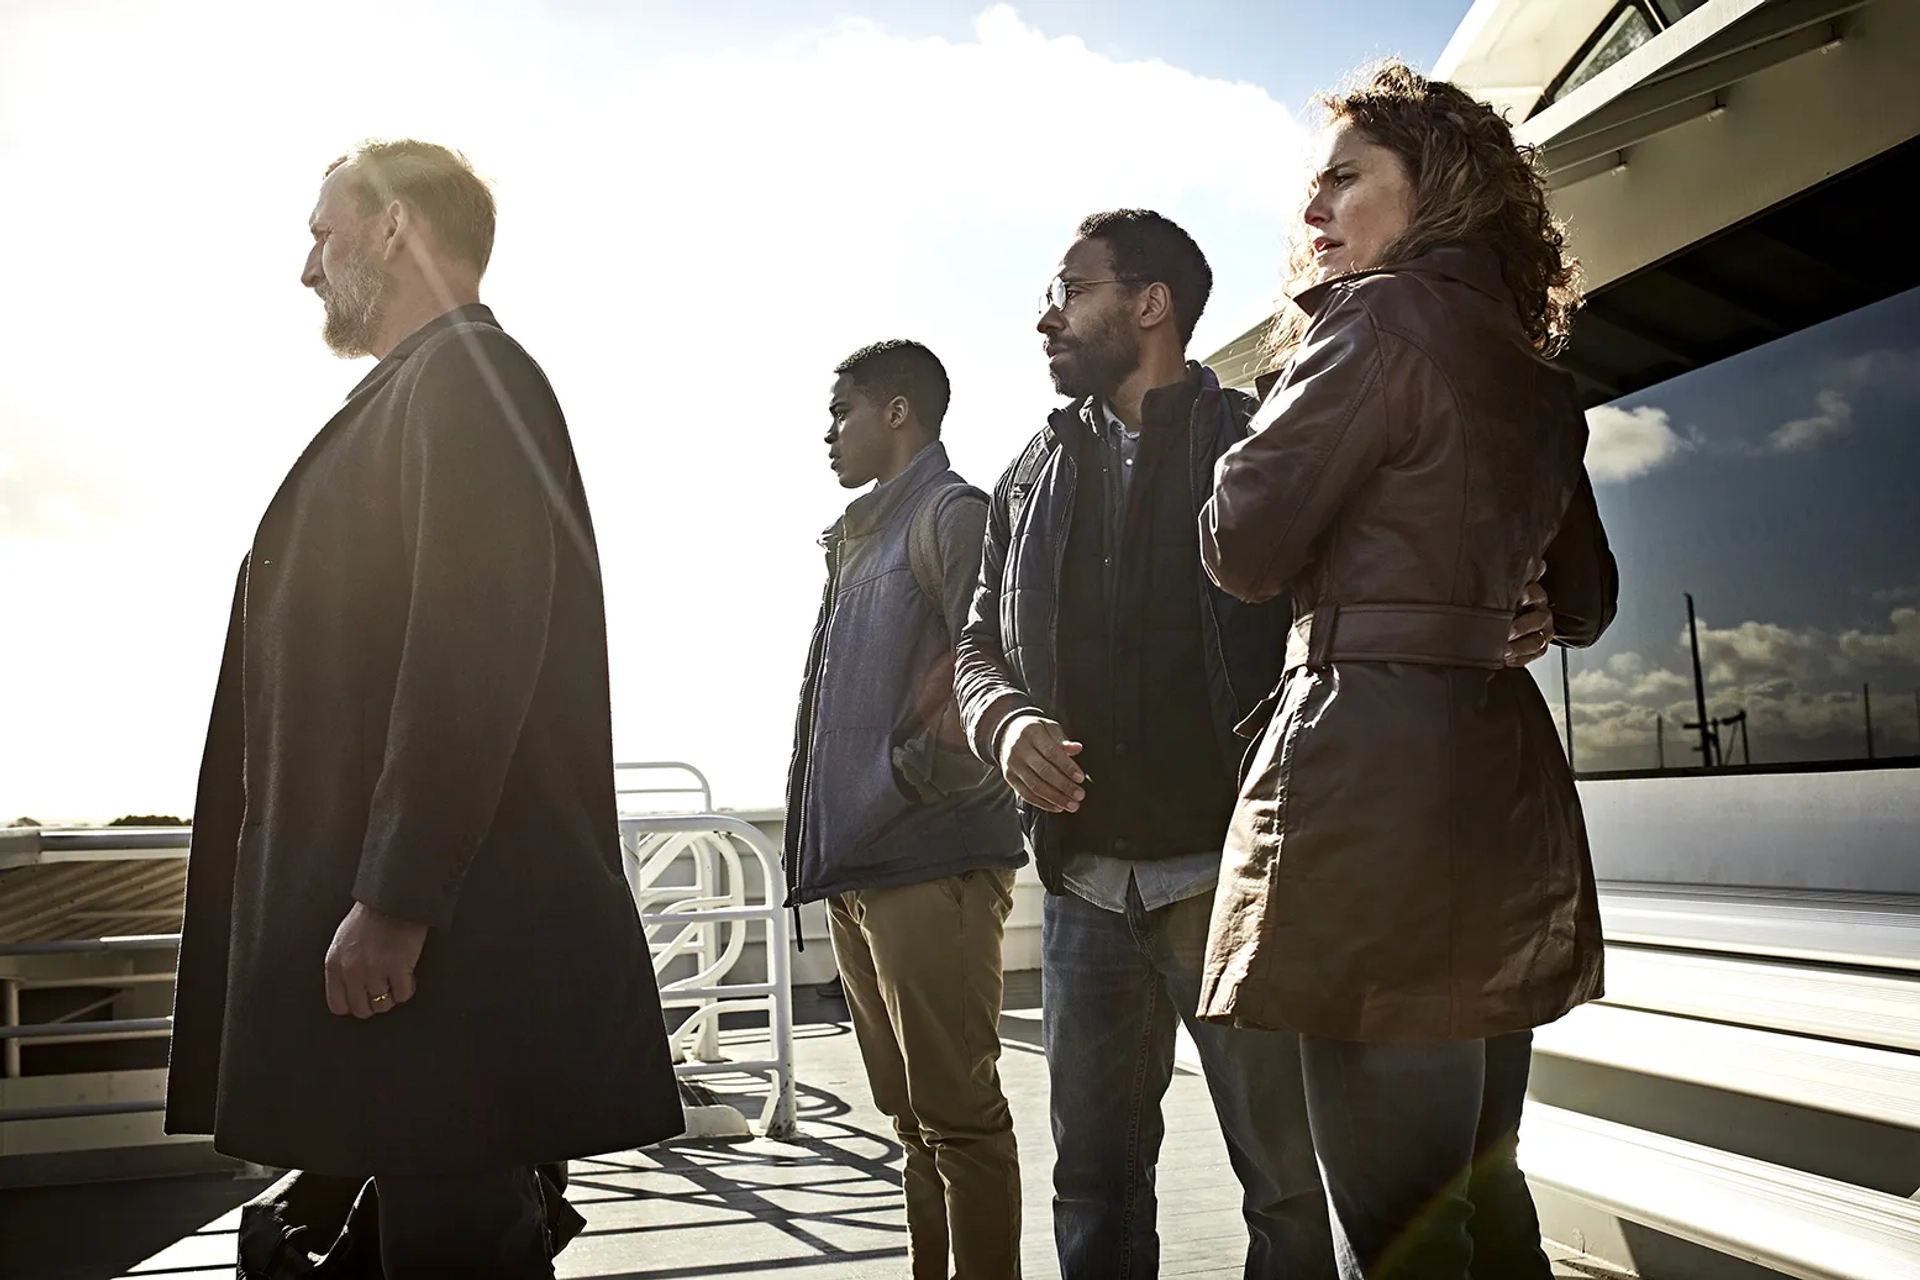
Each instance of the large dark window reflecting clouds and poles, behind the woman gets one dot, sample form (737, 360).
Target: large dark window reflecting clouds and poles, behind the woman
(1781, 490)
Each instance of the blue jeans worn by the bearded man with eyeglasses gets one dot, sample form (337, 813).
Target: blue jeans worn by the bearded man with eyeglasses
(1115, 987)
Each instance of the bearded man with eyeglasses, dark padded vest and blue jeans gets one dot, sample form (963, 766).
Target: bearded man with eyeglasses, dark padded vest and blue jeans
(1105, 675)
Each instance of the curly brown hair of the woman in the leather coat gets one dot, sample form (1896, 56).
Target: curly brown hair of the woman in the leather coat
(1472, 183)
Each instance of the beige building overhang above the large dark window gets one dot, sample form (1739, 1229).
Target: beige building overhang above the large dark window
(1739, 178)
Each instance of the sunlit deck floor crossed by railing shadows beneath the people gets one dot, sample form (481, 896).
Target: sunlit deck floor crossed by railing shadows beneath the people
(823, 1206)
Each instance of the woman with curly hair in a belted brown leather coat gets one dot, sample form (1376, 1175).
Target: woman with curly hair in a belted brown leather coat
(1408, 880)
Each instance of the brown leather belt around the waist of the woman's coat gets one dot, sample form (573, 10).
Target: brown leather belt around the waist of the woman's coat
(1431, 634)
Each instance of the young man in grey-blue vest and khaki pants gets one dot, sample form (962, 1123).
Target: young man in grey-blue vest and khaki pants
(898, 824)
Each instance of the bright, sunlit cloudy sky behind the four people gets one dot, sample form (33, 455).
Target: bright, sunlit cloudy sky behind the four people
(704, 208)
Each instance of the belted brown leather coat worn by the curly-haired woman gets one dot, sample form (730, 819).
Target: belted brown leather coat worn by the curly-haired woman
(1408, 857)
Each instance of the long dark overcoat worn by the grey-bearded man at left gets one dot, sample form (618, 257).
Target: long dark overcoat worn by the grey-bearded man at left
(414, 713)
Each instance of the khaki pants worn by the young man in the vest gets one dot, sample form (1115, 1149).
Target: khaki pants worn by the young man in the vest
(923, 974)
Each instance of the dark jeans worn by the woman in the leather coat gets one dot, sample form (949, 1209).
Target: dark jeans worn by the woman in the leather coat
(1420, 1149)
